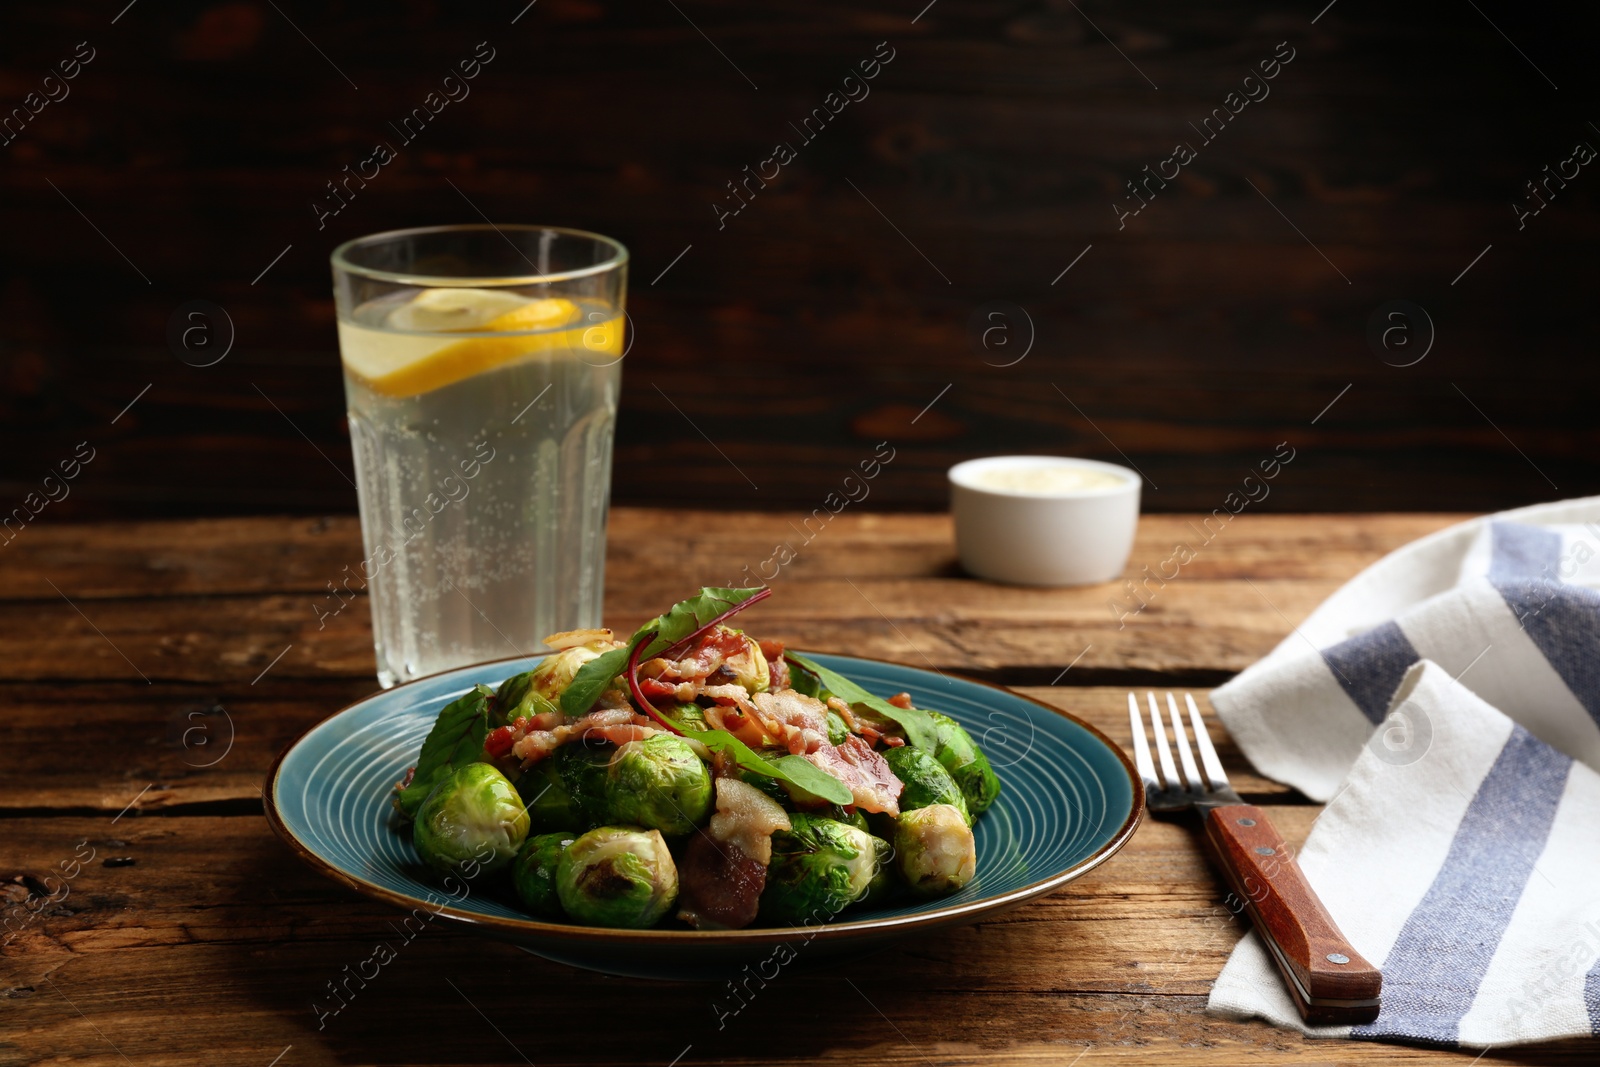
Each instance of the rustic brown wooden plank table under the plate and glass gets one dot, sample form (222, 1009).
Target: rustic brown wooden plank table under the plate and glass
(154, 669)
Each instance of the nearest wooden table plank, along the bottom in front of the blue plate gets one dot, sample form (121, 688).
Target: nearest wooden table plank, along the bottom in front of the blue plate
(215, 917)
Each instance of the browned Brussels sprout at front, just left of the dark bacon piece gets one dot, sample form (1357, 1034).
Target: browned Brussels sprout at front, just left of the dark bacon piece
(618, 877)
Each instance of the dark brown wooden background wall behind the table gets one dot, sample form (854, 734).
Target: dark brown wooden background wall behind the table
(838, 306)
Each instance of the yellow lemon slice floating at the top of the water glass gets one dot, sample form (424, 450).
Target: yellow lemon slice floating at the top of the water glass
(412, 364)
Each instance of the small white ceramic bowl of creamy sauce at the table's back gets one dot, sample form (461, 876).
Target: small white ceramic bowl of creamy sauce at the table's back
(1020, 521)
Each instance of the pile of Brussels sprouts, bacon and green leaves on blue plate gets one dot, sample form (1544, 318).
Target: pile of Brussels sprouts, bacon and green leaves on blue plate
(694, 773)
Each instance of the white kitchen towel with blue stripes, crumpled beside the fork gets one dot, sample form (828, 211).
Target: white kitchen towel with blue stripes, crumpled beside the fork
(1449, 703)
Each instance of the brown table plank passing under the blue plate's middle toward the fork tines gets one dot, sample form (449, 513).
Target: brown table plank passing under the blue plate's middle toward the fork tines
(182, 746)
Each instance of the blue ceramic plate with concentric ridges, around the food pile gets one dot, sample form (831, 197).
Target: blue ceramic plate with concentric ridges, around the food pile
(1070, 799)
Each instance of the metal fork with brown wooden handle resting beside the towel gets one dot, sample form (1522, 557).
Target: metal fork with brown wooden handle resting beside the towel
(1327, 978)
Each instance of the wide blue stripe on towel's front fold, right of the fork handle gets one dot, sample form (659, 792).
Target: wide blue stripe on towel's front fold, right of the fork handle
(1433, 973)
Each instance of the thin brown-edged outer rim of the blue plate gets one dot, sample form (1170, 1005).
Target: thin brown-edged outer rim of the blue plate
(751, 937)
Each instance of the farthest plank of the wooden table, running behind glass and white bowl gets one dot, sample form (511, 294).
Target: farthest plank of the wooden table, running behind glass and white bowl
(228, 557)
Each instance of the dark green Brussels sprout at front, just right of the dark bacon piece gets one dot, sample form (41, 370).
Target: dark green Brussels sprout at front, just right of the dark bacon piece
(820, 868)
